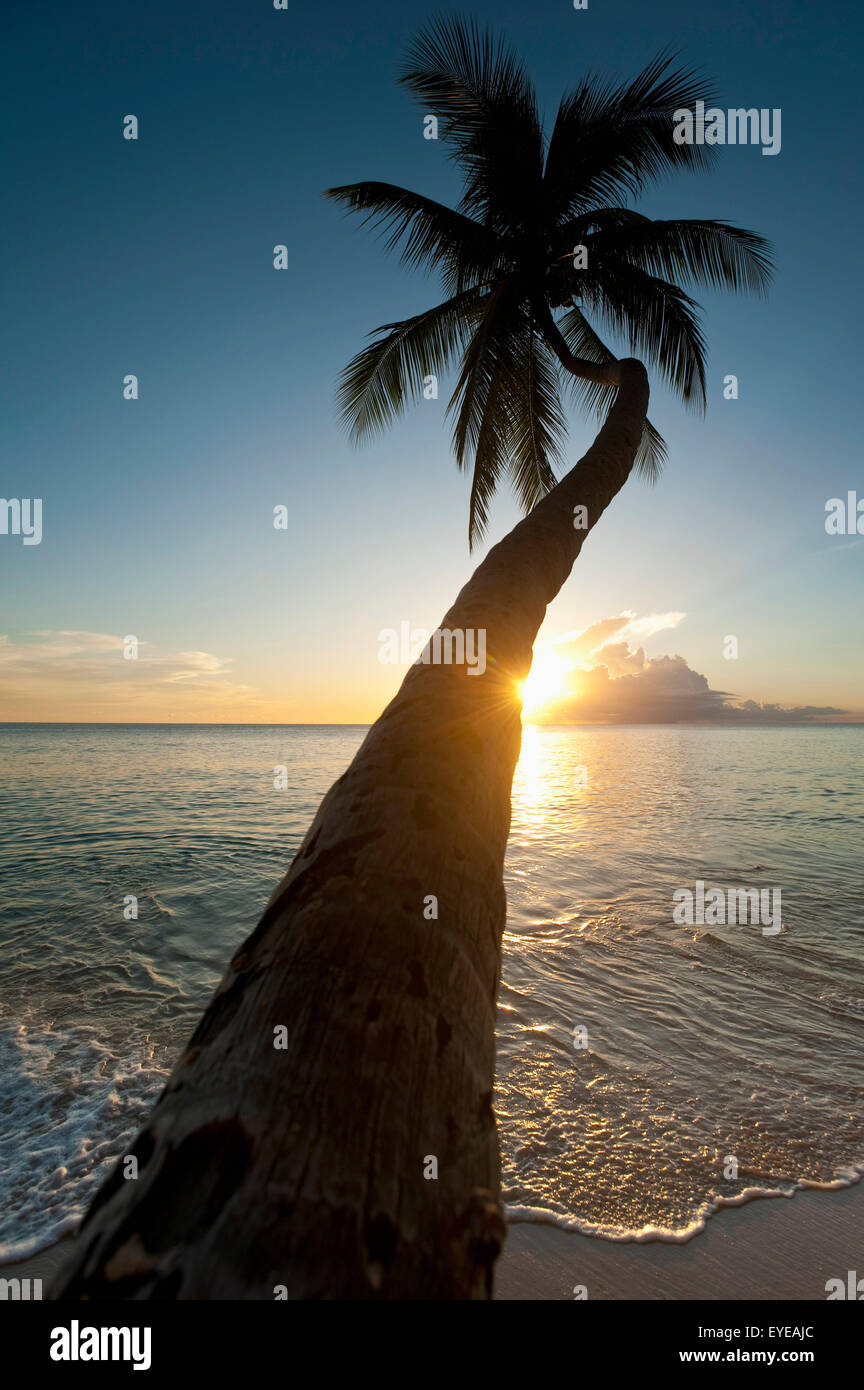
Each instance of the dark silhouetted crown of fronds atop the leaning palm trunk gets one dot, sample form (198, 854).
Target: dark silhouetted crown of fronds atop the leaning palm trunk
(506, 259)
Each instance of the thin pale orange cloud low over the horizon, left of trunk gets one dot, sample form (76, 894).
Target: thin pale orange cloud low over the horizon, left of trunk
(84, 676)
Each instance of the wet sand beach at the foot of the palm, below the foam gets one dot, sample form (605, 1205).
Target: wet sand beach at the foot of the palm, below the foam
(784, 1249)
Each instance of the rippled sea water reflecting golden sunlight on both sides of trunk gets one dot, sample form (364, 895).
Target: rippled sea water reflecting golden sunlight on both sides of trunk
(704, 1043)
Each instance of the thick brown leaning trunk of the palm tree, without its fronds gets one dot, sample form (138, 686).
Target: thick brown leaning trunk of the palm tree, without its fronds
(310, 1168)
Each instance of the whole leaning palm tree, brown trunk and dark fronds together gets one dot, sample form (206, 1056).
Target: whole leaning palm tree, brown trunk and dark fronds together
(360, 1160)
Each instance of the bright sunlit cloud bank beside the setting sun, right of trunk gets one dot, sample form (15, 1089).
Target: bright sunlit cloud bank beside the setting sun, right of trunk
(612, 682)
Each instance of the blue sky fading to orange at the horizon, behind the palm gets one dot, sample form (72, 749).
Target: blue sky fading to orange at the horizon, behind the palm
(156, 258)
